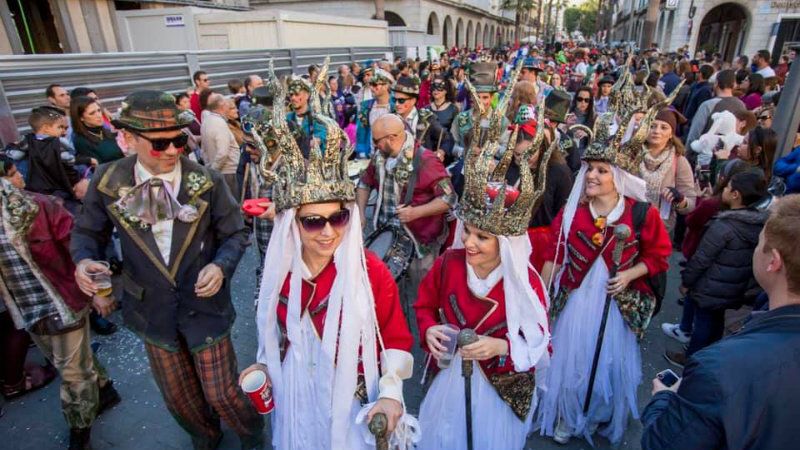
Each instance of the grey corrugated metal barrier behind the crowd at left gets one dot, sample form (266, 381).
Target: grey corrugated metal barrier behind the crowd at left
(23, 78)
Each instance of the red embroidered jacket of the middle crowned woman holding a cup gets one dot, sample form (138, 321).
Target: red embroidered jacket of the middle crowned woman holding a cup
(444, 294)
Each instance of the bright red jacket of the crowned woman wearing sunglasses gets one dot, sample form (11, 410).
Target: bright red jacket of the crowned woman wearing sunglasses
(314, 298)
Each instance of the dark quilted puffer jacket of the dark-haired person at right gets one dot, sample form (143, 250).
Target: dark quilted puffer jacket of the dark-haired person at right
(720, 271)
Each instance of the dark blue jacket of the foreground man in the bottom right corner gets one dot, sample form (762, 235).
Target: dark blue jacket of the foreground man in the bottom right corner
(740, 393)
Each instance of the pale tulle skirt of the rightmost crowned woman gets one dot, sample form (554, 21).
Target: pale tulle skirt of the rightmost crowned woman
(619, 370)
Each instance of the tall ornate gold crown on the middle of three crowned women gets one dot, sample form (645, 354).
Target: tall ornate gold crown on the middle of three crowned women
(482, 177)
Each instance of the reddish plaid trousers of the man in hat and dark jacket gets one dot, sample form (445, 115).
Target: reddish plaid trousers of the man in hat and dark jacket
(201, 387)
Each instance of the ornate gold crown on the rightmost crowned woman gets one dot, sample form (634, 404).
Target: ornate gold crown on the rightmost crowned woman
(613, 147)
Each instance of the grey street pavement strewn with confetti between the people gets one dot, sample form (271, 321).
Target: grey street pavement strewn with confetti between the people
(141, 420)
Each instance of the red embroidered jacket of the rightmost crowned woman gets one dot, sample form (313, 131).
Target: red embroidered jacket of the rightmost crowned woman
(653, 250)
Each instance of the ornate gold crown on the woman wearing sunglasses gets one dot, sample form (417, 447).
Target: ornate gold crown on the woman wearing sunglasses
(322, 178)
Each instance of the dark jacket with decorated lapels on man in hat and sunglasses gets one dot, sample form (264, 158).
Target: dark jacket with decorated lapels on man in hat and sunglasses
(159, 298)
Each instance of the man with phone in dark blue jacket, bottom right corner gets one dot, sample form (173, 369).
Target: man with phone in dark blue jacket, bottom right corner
(742, 392)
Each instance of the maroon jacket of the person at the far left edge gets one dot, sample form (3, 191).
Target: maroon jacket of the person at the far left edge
(48, 240)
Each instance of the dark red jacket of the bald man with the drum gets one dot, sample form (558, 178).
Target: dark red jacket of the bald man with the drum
(433, 181)
